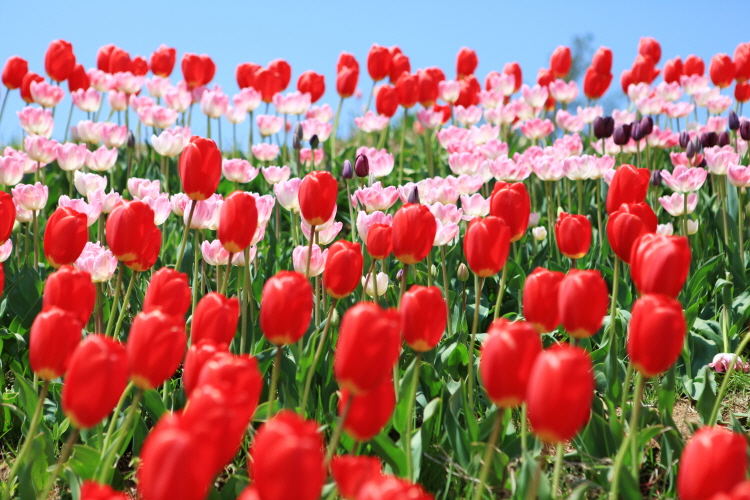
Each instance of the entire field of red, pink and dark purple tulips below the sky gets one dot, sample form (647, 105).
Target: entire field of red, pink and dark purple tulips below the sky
(480, 288)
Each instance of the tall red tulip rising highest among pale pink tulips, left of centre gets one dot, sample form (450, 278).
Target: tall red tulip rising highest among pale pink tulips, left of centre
(200, 168)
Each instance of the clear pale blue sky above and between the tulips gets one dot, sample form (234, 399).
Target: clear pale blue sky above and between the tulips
(311, 34)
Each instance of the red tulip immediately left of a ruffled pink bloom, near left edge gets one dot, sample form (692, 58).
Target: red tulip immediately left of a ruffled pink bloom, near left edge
(65, 236)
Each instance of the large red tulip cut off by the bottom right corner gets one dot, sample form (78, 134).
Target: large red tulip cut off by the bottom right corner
(713, 461)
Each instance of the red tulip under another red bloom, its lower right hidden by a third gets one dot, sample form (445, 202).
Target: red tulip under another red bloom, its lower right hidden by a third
(626, 225)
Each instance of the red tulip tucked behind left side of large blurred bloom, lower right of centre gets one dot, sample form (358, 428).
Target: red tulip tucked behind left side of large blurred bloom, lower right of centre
(507, 358)
